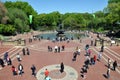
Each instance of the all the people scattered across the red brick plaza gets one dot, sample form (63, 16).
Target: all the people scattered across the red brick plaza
(89, 60)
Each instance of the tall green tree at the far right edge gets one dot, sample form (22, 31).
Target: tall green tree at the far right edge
(113, 14)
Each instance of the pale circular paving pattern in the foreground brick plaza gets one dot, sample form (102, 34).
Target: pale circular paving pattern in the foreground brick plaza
(70, 73)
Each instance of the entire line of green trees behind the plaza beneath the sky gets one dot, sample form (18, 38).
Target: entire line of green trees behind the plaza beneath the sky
(14, 18)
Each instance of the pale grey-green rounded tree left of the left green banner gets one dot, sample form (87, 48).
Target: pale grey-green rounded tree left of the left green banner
(19, 19)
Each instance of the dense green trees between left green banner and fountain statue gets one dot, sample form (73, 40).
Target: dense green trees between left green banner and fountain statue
(50, 20)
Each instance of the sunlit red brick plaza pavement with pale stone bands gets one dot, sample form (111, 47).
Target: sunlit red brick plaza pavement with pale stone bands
(41, 58)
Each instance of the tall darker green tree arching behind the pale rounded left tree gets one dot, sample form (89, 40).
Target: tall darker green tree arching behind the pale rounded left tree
(26, 8)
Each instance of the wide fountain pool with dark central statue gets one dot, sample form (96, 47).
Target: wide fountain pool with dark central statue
(61, 34)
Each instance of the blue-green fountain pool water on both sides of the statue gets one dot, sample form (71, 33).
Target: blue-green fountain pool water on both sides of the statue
(52, 36)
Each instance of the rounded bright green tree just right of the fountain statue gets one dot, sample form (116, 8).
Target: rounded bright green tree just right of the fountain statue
(74, 21)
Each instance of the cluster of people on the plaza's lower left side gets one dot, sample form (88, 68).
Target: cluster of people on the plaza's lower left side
(20, 70)
